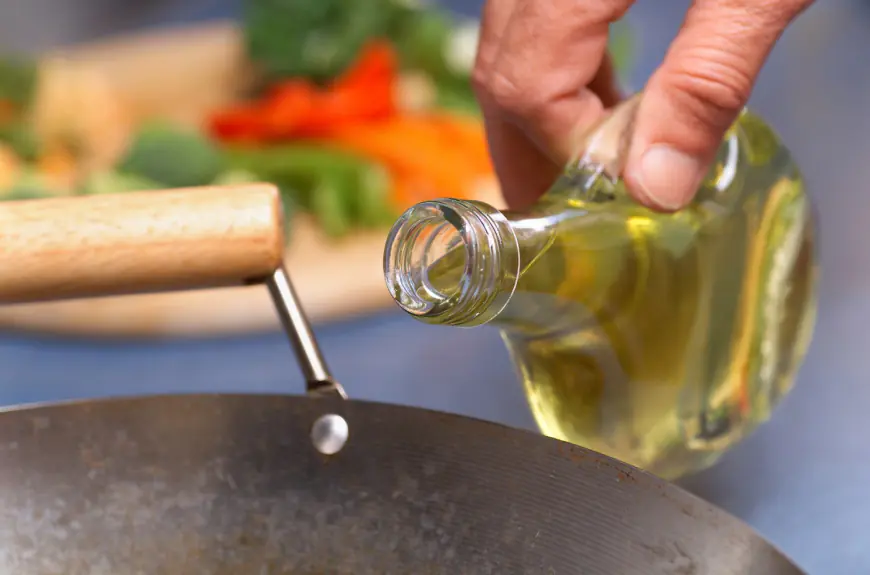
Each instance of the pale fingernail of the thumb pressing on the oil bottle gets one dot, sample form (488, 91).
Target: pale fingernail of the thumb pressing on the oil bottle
(669, 178)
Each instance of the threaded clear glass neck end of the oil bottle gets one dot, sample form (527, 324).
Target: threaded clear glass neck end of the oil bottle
(452, 262)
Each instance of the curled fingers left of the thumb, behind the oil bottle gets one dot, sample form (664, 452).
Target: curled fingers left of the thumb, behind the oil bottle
(533, 80)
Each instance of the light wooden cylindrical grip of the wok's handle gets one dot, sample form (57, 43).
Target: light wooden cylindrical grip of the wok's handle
(139, 242)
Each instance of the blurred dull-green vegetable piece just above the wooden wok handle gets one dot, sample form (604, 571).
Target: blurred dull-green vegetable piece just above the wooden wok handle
(172, 156)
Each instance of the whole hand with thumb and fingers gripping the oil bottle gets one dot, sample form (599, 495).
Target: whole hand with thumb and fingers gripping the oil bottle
(542, 70)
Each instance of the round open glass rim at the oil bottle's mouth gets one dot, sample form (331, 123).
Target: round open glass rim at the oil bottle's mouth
(428, 259)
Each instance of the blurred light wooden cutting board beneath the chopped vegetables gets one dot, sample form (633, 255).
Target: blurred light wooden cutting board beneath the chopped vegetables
(180, 73)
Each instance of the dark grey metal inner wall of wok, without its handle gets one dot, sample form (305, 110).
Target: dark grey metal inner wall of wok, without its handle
(231, 484)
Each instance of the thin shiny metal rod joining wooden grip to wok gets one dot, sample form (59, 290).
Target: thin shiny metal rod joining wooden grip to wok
(318, 378)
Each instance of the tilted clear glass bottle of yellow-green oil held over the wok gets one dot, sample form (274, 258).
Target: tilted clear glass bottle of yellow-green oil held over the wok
(658, 339)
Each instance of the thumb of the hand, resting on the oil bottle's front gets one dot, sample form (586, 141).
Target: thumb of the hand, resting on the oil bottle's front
(697, 93)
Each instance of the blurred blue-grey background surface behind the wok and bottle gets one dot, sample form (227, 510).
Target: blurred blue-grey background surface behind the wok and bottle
(803, 480)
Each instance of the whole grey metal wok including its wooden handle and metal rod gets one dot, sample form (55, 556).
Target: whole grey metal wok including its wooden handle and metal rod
(261, 484)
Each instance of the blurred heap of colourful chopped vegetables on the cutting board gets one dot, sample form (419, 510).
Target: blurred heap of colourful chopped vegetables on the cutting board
(363, 107)
